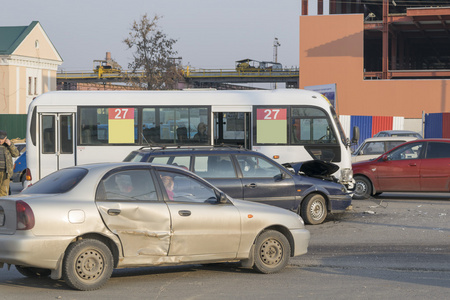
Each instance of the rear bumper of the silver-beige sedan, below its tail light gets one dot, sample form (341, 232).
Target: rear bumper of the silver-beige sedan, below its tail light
(32, 251)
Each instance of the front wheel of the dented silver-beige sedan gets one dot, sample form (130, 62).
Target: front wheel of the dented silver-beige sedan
(272, 252)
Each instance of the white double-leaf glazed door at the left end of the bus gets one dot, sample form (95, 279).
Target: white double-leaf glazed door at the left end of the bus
(57, 142)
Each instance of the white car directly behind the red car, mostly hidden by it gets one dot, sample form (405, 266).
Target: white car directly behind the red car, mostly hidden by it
(373, 147)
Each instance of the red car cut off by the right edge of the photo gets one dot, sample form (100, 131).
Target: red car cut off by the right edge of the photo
(416, 166)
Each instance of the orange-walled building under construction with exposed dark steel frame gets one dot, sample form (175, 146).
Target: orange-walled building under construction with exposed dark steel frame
(386, 57)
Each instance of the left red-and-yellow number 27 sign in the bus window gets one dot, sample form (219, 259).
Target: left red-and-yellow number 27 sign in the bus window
(121, 125)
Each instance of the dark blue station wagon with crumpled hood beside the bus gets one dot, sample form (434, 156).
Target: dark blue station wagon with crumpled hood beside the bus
(249, 175)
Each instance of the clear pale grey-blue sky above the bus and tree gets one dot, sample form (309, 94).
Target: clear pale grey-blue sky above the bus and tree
(210, 34)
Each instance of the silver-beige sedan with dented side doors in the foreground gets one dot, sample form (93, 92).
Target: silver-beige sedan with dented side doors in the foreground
(81, 222)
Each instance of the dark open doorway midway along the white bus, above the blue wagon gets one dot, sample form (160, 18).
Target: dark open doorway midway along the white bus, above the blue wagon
(232, 128)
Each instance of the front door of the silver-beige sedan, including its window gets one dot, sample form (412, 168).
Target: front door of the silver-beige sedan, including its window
(202, 226)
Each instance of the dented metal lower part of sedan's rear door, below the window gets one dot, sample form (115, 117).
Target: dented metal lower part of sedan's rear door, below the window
(142, 226)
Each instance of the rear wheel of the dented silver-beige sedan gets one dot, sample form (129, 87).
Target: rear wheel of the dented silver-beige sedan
(88, 264)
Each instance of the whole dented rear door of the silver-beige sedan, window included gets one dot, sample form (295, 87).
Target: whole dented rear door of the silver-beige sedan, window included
(128, 202)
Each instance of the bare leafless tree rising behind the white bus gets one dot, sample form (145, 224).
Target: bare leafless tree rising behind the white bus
(154, 66)
